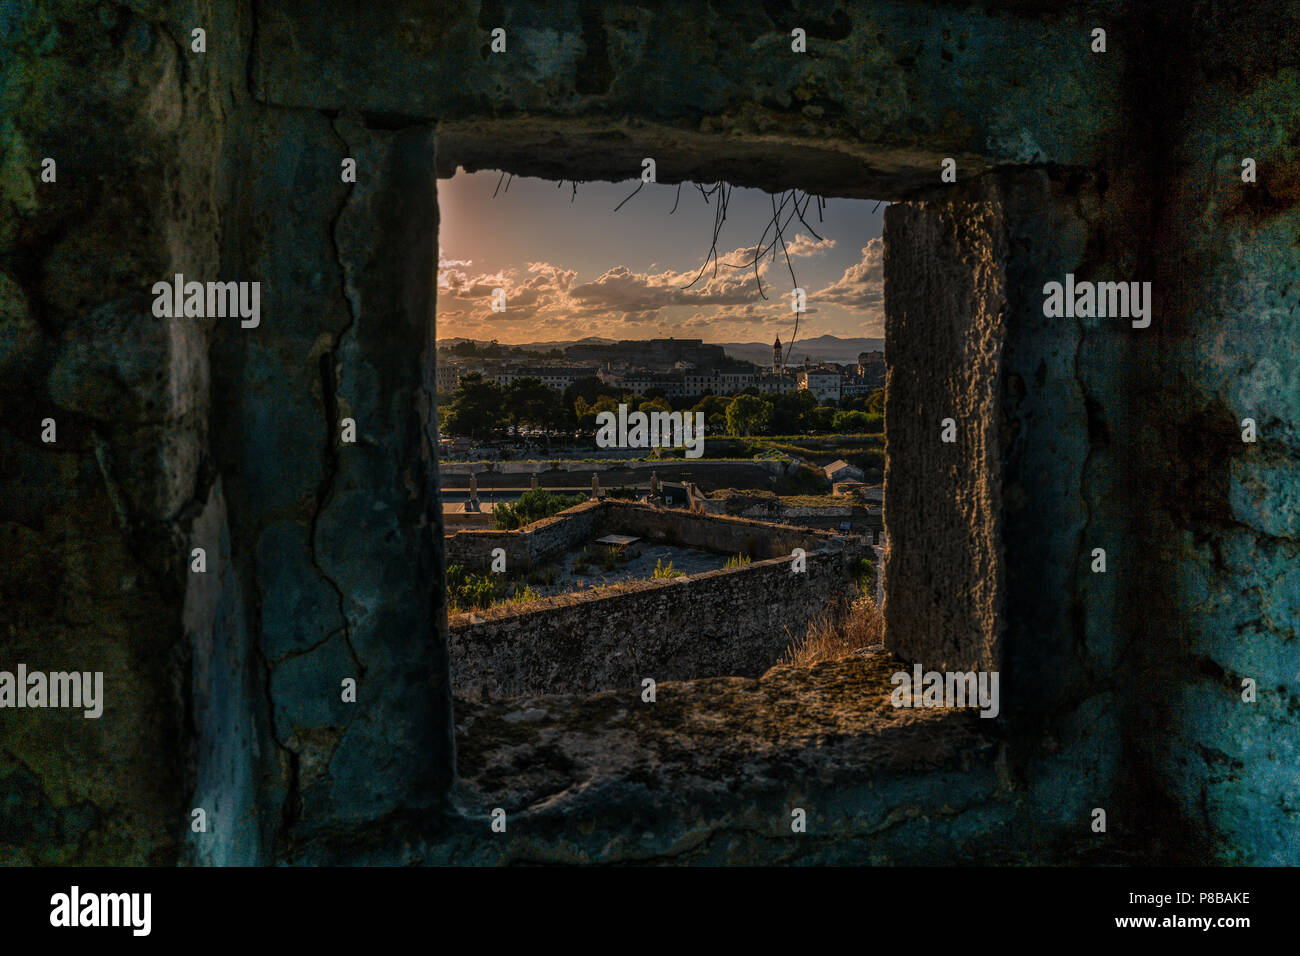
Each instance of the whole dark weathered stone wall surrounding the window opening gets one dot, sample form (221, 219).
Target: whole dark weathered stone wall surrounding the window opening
(1123, 689)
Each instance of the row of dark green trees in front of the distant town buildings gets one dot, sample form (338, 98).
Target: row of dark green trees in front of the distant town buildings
(480, 408)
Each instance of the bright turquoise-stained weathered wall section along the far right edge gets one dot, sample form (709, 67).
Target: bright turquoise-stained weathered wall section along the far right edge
(1216, 553)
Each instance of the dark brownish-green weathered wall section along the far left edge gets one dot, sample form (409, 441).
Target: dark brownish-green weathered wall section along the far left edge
(98, 526)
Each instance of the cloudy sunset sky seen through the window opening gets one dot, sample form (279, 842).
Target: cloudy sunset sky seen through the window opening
(575, 267)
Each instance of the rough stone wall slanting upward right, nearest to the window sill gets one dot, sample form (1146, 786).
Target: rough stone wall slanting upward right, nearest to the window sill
(727, 622)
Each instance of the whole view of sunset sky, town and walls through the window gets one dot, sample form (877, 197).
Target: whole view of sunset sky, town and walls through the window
(640, 384)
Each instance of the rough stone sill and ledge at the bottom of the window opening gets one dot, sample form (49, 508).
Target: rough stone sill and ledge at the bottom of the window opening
(710, 775)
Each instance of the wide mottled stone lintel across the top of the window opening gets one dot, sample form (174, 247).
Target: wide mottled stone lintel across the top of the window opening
(713, 89)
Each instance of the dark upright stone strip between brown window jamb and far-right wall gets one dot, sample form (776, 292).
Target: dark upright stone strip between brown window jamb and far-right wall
(1061, 496)
